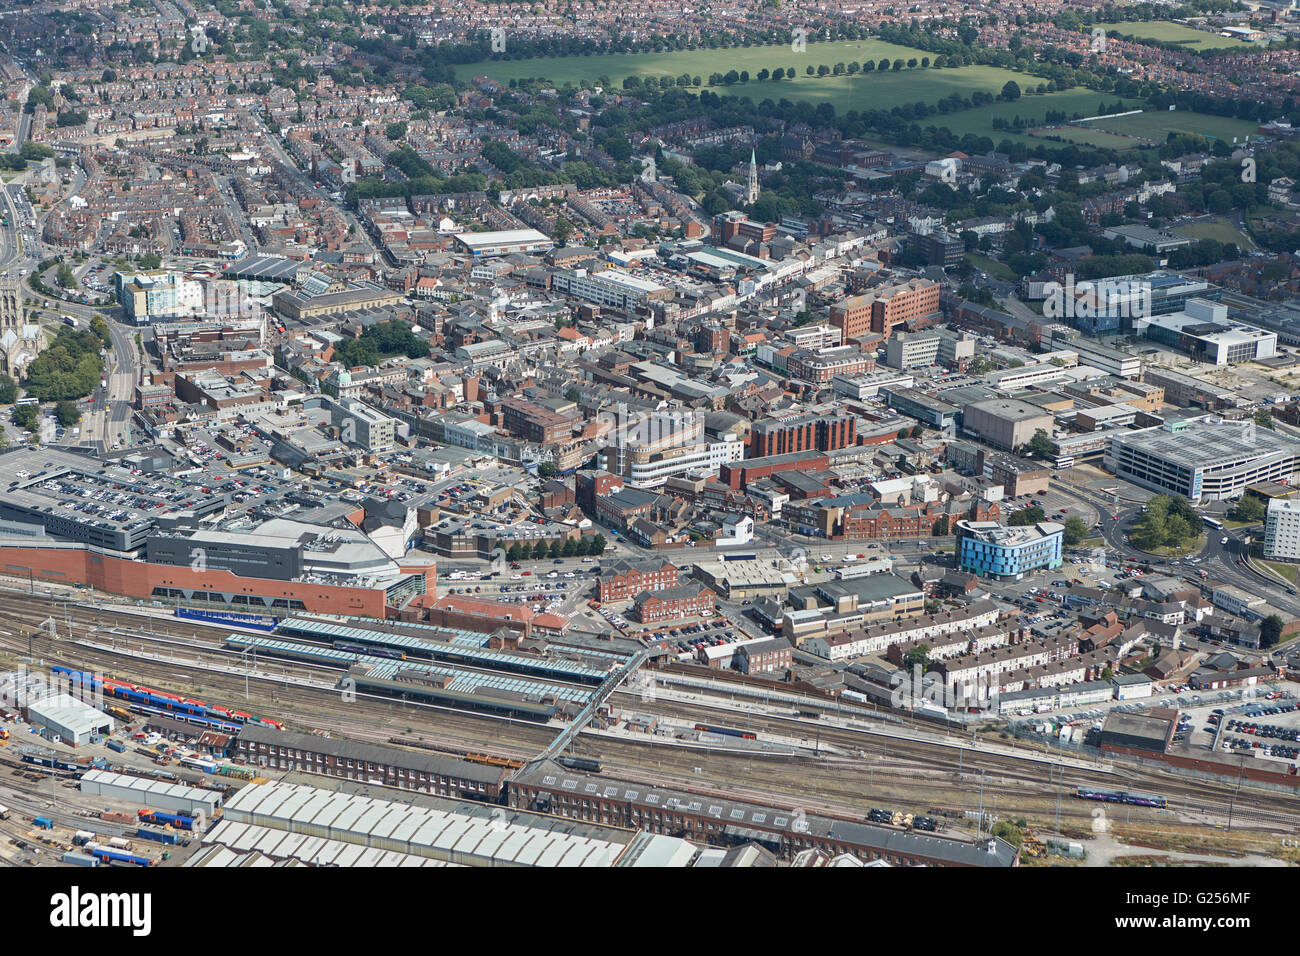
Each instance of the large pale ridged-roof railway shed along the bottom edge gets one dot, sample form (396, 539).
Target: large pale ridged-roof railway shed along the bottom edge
(453, 832)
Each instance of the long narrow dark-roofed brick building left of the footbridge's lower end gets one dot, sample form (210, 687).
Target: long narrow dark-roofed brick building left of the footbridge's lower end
(353, 760)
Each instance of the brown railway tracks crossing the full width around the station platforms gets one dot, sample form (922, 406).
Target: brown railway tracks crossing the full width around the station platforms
(887, 769)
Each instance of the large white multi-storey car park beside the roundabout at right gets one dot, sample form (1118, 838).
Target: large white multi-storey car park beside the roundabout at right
(1206, 460)
